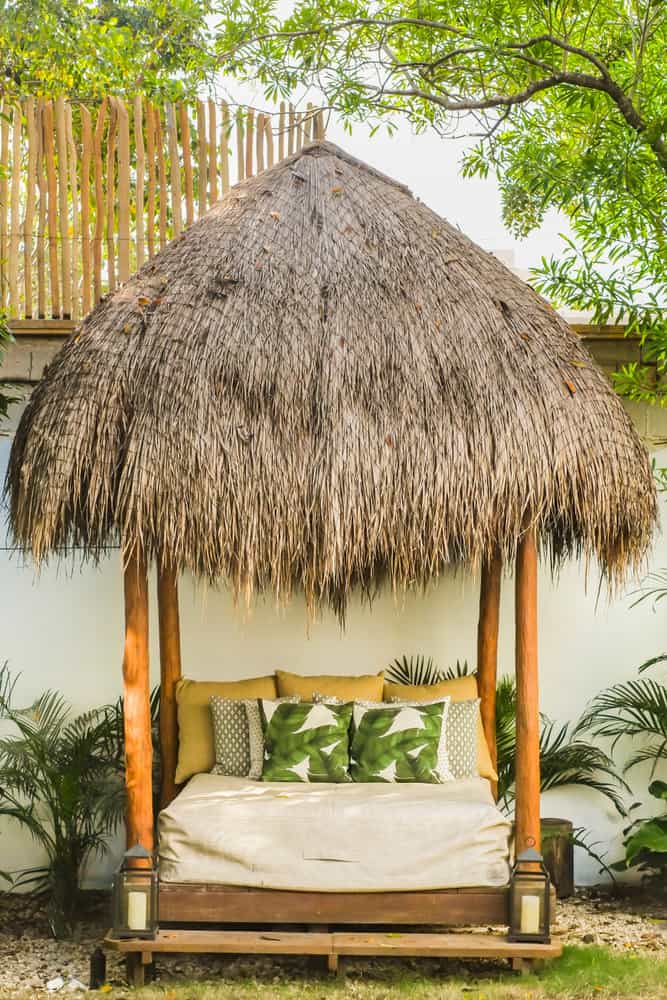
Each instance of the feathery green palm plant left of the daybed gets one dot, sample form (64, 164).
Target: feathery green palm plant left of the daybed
(61, 780)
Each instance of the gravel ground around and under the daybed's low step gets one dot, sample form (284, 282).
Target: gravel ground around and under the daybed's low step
(29, 958)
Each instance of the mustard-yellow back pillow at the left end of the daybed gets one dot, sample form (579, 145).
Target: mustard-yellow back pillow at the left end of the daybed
(196, 748)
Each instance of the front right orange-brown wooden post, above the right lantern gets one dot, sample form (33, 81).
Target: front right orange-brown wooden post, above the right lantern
(527, 700)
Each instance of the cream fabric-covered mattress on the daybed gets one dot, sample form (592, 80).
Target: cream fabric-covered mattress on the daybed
(334, 838)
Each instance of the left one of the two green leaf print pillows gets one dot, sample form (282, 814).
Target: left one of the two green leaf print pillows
(306, 742)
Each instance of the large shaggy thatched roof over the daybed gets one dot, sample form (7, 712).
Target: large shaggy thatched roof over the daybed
(320, 384)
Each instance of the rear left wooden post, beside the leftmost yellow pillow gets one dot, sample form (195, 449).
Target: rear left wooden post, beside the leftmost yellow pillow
(170, 674)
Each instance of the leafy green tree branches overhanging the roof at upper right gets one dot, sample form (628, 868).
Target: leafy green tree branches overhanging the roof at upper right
(568, 101)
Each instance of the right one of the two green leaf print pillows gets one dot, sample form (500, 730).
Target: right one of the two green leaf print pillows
(397, 742)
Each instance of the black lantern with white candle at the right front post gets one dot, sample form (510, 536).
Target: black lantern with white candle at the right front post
(530, 899)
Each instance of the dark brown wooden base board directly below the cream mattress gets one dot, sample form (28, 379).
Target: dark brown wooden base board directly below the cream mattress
(226, 904)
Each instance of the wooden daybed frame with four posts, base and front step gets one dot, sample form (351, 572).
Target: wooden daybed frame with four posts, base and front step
(184, 905)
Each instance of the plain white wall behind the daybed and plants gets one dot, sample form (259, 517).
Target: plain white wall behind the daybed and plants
(64, 629)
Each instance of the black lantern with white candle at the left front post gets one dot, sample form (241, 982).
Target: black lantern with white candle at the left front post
(135, 896)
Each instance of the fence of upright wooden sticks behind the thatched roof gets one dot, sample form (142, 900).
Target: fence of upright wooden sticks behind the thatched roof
(88, 194)
